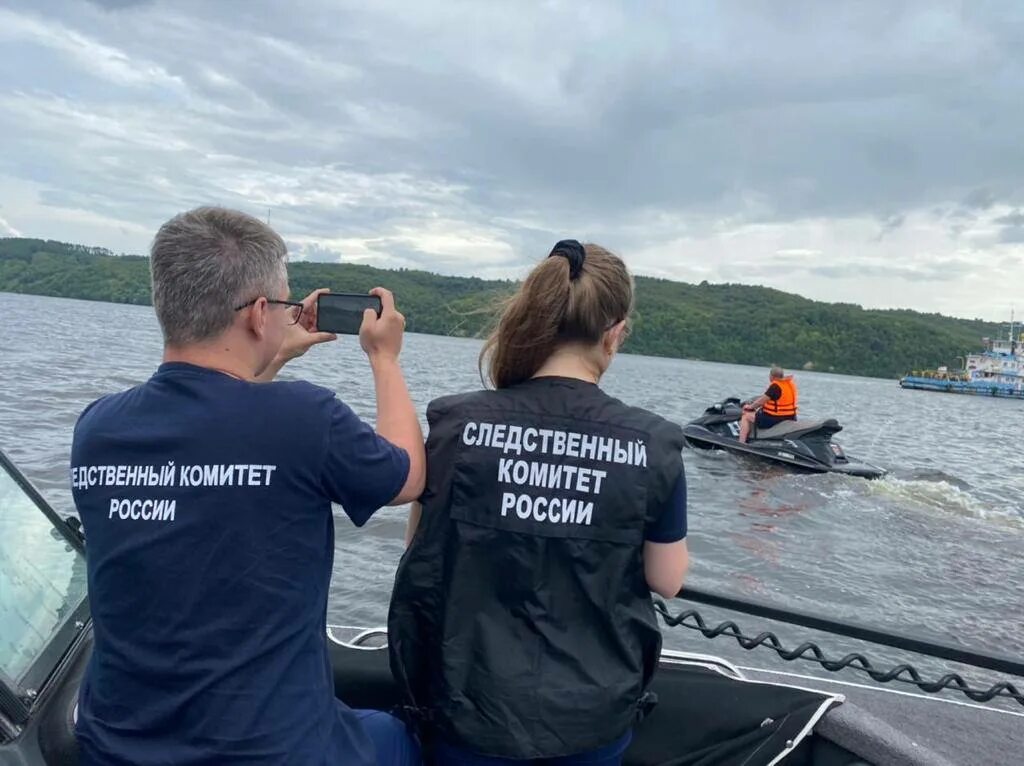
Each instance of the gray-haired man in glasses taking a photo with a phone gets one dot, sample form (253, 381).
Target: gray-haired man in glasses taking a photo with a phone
(205, 494)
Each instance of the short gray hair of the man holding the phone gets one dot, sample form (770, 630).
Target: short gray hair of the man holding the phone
(205, 264)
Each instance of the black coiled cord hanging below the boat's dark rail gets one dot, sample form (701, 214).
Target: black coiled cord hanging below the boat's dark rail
(810, 652)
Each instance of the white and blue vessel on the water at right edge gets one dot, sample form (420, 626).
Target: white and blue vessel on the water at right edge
(996, 371)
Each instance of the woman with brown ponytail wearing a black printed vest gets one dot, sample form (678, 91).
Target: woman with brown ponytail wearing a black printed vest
(522, 625)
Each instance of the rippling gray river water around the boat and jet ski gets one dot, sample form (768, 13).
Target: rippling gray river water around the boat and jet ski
(936, 549)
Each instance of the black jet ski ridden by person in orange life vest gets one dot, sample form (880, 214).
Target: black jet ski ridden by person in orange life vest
(804, 445)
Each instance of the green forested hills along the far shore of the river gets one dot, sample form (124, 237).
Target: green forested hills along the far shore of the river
(740, 324)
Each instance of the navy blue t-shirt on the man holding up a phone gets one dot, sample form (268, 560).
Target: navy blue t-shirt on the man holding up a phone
(206, 505)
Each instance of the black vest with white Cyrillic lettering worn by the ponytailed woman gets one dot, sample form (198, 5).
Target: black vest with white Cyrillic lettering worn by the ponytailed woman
(522, 624)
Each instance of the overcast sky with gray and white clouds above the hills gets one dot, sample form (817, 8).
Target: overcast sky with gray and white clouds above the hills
(867, 153)
